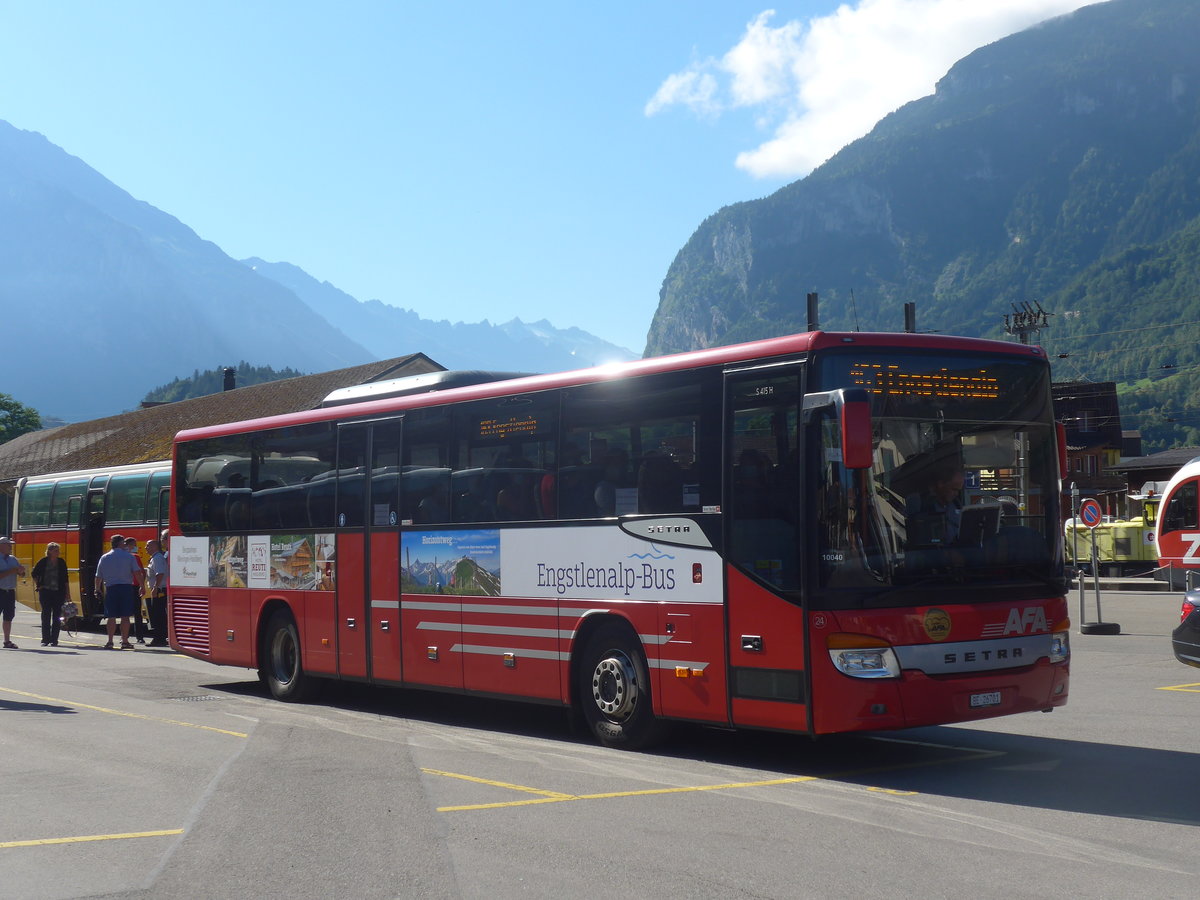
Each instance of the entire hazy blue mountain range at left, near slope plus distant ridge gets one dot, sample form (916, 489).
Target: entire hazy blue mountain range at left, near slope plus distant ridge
(113, 297)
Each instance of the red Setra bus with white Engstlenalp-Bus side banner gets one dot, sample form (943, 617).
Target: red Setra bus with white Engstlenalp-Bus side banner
(737, 536)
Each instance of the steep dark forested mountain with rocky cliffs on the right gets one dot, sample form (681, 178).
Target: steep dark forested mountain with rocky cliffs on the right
(1059, 166)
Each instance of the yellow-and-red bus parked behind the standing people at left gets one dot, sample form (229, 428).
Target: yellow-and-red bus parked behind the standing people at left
(81, 512)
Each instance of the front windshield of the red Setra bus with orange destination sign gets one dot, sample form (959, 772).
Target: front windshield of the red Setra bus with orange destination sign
(964, 484)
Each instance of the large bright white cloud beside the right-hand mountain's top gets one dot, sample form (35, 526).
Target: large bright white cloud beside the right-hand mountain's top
(820, 86)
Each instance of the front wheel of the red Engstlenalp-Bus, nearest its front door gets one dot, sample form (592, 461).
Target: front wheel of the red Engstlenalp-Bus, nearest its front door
(615, 692)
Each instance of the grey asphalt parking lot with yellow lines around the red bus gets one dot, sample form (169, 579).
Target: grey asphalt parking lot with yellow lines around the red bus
(148, 775)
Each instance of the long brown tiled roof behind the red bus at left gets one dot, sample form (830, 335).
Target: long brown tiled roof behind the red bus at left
(147, 435)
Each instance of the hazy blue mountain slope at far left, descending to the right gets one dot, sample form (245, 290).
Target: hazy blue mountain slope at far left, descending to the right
(103, 287)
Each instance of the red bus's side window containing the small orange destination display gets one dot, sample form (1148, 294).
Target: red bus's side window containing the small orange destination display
(505, 451)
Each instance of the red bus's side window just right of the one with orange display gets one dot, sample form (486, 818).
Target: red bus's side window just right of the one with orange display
(635, 446)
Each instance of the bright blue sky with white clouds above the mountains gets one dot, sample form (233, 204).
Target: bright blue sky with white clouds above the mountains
(475, 160)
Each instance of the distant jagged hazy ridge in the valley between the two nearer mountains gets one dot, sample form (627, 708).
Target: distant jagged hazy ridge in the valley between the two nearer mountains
(513, 346)
